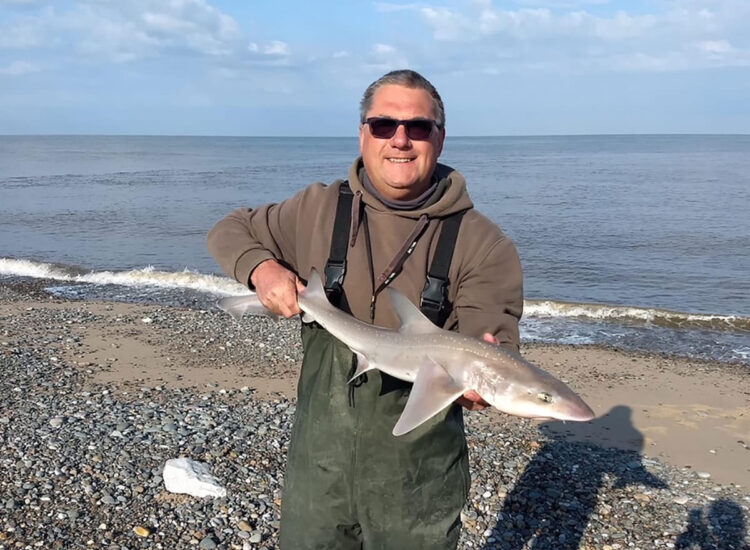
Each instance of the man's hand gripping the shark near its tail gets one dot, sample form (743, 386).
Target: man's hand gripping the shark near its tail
(277, 288)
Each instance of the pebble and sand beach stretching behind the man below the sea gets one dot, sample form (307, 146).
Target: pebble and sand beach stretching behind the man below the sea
(98, 395)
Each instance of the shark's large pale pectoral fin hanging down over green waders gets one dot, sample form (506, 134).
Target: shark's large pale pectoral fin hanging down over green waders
(433, 390)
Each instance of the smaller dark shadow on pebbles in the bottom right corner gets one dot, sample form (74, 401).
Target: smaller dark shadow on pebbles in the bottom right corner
(722, 528)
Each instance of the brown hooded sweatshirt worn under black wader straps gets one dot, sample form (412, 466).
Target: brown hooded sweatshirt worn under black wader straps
(486, 287)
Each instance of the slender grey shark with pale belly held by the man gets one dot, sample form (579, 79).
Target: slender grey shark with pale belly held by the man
(441, 364)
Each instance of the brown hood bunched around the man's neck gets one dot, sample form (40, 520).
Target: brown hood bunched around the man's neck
(451, 184)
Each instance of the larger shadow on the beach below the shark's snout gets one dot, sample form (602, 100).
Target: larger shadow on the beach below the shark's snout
(553, 501)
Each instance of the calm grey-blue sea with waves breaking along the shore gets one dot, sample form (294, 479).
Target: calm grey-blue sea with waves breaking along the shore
(635, 242)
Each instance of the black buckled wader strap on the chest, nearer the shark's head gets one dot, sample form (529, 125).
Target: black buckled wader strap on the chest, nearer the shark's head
(434, 302)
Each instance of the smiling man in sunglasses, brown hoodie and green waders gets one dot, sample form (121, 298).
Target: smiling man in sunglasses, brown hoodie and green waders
(349, 482)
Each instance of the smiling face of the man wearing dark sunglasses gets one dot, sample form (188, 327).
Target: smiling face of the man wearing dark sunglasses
(400, 168)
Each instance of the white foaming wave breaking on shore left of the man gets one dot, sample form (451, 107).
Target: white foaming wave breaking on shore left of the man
(147, 276)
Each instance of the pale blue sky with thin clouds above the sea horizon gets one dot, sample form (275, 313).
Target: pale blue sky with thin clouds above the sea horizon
(513, 67)
